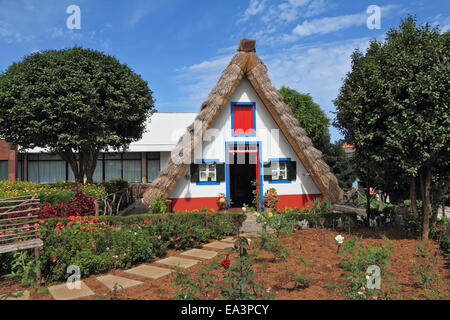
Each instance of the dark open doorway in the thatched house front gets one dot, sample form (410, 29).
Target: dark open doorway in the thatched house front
(242, 170)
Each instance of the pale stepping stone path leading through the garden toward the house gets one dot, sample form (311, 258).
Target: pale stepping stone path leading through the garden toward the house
(62, 292)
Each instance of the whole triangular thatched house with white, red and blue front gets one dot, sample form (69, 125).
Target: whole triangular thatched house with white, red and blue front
(244, 132)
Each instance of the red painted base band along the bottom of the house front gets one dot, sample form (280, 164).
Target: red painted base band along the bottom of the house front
(284, 201)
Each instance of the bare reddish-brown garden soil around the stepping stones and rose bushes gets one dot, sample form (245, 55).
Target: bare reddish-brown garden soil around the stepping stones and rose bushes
(314, 244)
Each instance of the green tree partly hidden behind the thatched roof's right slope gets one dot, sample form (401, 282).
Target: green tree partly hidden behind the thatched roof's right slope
(313, 119)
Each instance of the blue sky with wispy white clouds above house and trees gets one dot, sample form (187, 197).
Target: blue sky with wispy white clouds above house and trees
(180, 47)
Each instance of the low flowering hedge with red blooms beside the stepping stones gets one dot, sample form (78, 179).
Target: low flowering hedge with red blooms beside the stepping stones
(99, 244)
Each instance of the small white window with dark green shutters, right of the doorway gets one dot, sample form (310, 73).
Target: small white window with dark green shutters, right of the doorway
(281, 170)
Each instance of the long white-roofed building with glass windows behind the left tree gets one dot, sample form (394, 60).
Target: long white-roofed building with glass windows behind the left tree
(140, 163)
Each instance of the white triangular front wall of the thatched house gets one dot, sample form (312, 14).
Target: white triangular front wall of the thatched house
(273, 145)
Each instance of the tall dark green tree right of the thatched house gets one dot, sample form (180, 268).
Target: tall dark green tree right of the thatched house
(394, 107)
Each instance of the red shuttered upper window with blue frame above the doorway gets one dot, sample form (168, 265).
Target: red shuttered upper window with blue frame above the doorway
(243, 119)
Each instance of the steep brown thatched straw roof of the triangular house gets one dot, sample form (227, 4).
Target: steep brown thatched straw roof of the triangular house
(245, 63)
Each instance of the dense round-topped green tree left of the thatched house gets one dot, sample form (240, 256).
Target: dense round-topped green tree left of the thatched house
(75, 102)
